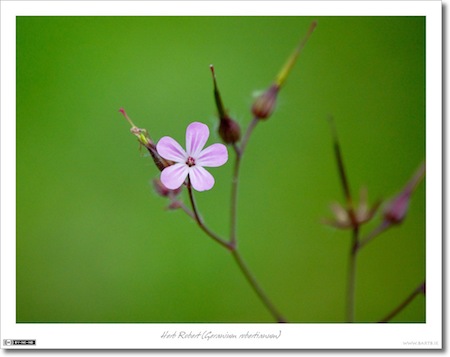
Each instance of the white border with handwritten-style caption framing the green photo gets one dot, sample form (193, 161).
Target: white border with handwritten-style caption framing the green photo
(293, 336)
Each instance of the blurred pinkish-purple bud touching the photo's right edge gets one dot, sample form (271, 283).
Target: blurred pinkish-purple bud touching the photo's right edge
(396, 210)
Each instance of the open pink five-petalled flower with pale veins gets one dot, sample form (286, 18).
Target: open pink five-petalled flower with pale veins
(191, 161)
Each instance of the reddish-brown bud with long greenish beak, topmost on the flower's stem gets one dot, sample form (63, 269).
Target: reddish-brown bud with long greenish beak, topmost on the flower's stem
(264, 105)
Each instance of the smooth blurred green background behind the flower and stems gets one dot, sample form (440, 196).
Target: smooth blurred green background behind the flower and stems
(96, 244)
